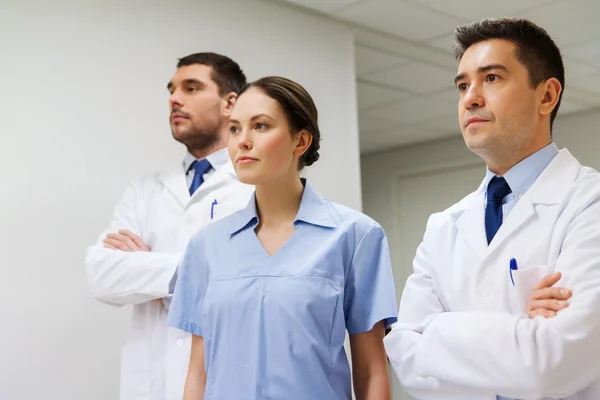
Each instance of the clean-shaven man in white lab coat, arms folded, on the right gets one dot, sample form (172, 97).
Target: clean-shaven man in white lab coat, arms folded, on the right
(463, 331)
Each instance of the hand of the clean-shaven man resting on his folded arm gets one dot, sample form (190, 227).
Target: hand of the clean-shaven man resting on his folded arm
(546, 300)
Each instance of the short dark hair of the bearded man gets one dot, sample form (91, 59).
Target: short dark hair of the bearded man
(227, 74)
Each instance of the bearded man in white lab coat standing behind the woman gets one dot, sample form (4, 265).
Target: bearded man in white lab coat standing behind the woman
(135, 259)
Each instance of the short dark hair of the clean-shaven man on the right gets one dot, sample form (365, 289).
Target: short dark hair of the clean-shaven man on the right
(535, 48)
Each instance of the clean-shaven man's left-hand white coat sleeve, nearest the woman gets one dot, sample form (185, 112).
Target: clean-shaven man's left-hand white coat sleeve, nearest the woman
(418, 306)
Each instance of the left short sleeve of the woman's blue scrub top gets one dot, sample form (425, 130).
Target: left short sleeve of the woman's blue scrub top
(185, 311)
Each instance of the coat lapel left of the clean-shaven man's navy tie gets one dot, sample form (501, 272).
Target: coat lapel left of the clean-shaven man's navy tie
(470, 222)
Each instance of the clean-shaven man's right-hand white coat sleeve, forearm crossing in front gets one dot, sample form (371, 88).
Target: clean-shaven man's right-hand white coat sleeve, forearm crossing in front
(518, 357)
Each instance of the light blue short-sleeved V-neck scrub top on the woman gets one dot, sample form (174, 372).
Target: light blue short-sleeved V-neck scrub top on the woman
(274, 326)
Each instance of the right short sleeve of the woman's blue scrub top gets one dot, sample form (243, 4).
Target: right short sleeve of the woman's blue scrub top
(370, 295)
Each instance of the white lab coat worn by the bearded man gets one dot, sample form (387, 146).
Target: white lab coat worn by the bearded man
(159, 209)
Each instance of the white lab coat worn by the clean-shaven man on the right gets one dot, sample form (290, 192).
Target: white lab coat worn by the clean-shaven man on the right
(462, 331)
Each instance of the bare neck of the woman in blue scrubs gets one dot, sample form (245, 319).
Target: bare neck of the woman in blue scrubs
(278, 203)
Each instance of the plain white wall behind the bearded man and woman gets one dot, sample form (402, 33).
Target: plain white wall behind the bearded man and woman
(83, 109)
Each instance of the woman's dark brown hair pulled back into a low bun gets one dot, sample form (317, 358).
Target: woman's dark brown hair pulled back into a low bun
(299, 109)
